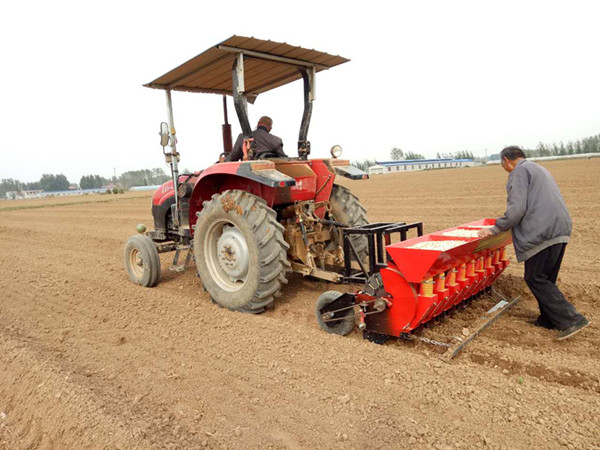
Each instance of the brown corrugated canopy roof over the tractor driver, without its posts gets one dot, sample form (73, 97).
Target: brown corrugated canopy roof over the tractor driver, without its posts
(267, 65)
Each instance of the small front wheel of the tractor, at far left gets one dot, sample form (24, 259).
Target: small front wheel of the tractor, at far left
(142, 261)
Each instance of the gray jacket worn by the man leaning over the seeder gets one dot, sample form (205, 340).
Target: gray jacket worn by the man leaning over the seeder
(535, 211)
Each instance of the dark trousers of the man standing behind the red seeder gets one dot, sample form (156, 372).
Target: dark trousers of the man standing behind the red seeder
(541, 271)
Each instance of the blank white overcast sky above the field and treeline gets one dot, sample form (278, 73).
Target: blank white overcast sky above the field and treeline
(424, 76)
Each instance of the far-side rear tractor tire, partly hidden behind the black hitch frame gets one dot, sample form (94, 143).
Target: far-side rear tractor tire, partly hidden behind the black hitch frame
(346, 208)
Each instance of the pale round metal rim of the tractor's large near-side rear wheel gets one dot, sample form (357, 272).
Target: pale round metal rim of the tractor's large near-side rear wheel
(227, 255)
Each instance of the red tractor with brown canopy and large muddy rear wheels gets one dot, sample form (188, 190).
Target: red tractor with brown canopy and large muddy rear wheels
(248, 224)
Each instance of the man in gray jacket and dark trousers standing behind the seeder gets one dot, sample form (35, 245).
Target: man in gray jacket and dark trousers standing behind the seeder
(541, 227)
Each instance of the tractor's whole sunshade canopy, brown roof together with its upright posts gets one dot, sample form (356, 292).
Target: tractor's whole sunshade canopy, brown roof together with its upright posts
(207, 73)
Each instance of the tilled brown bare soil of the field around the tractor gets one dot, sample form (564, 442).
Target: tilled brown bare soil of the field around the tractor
(89, 360)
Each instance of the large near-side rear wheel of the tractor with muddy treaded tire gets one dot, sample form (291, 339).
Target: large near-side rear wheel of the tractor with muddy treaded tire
(265, 249)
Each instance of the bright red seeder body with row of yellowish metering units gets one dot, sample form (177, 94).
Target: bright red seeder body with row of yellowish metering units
(421, 284)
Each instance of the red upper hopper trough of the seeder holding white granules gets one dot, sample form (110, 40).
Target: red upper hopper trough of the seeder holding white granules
(448, 248)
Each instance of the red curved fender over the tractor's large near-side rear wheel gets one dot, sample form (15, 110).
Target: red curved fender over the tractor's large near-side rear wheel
(255, 177)
